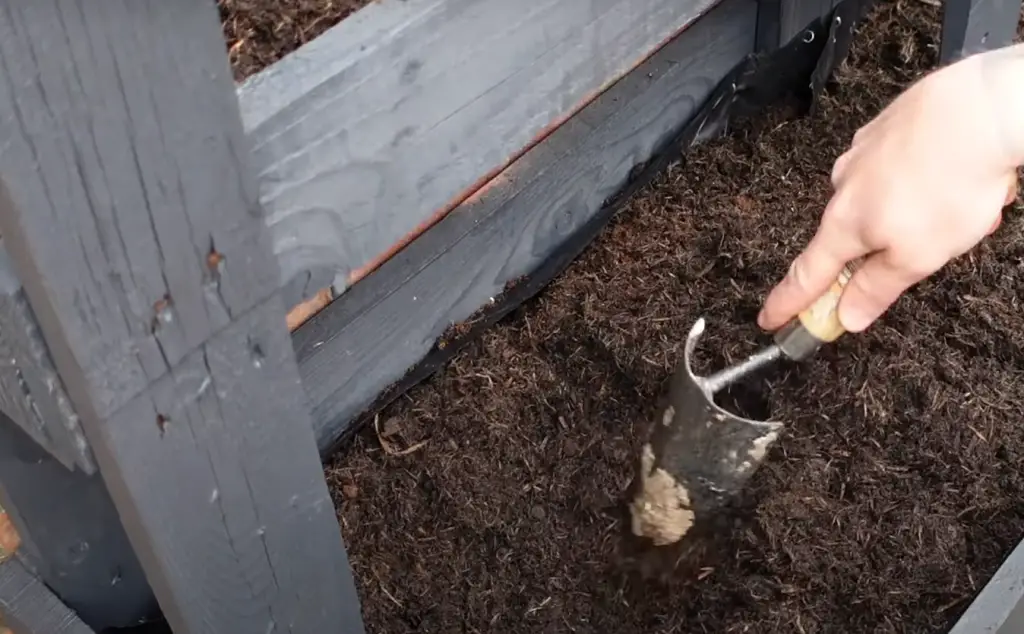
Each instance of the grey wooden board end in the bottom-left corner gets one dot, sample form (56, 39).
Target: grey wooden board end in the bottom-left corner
(28, 607)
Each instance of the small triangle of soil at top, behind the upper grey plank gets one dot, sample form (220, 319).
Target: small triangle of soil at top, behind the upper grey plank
(261, 32)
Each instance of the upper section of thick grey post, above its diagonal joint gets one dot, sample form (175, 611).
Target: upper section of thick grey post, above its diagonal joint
(96, 135)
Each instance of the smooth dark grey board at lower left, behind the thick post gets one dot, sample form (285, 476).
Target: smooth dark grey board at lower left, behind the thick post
(72, 538)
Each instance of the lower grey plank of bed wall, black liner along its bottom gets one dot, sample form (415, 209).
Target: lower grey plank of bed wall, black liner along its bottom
(536, 198)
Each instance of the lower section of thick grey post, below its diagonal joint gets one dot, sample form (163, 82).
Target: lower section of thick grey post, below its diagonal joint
(255, 546)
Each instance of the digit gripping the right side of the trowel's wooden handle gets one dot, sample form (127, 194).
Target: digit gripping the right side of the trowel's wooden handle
(875, 287)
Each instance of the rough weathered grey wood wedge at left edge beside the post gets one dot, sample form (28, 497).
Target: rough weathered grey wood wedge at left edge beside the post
(31, 392)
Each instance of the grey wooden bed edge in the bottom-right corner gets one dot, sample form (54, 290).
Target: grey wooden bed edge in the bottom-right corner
(1000, 607)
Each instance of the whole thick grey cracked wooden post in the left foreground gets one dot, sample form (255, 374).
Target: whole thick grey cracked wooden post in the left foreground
(132, 217)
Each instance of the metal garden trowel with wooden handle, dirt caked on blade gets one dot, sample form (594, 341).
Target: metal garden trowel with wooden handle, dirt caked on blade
(699, 455)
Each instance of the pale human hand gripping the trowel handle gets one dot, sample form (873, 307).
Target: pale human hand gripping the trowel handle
(921, 185)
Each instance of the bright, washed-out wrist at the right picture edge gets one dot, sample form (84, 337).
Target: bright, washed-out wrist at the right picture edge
(1002, 73)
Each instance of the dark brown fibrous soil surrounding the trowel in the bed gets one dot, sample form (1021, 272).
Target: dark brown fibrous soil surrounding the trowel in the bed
(491, 498)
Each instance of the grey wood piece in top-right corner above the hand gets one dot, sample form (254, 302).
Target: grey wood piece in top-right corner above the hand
(974, 26)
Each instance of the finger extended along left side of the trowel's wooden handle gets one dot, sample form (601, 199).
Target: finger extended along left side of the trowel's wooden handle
(809, 276)
